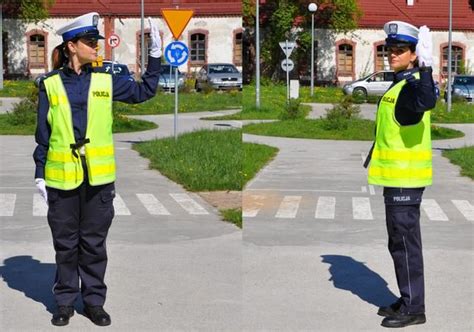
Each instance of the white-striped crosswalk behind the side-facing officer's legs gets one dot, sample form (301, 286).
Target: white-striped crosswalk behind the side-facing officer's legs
(358, 208)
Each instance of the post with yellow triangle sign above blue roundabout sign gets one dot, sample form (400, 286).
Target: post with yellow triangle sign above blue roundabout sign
(177, 52)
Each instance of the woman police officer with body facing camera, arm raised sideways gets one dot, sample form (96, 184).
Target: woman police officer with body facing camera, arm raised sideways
(75, 164)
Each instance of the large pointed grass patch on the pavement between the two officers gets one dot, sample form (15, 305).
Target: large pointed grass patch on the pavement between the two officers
(207, 160)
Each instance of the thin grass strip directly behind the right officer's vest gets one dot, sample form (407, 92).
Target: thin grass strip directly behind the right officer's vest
(357, 129)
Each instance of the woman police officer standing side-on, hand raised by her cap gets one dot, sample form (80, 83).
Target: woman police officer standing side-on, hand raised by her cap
(400, 161)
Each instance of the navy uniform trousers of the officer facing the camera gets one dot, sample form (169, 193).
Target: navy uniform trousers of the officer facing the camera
(79, 220)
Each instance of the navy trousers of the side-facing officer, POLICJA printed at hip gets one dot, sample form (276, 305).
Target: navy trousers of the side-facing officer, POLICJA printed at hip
(402, 211)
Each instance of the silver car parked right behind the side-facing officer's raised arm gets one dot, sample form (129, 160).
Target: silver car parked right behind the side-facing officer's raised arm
(374, 84)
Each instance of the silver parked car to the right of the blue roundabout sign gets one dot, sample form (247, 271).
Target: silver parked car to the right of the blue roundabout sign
(219, 76)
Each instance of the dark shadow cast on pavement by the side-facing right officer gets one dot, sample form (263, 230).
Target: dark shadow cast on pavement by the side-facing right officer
(357, 278)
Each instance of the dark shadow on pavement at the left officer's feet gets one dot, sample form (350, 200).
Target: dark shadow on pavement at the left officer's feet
(31, 277)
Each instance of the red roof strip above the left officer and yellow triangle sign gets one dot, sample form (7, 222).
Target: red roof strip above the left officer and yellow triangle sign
(152, 7)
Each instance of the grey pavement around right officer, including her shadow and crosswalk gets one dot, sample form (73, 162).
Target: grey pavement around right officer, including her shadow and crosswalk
(315, 256)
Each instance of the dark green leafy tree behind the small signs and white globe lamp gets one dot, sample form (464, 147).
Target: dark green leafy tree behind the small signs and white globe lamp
(290, 19)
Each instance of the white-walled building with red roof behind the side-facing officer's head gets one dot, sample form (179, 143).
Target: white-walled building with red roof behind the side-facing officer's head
(346, 57)
